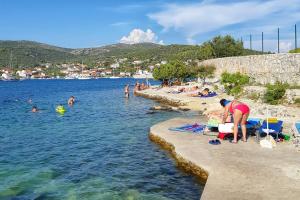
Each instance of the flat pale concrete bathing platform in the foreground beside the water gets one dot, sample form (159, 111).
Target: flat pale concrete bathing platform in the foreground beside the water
(233, 171)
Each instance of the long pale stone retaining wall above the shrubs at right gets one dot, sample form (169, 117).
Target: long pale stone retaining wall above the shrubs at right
(262, 68)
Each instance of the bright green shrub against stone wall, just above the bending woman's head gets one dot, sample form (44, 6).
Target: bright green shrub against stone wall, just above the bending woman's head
(234, 82)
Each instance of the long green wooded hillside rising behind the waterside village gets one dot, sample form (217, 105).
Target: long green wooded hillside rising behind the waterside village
(28, 53)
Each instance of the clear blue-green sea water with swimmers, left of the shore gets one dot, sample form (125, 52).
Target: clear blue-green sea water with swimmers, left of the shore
(98, 150)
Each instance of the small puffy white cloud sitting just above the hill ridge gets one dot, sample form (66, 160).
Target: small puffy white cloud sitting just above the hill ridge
(139, 36)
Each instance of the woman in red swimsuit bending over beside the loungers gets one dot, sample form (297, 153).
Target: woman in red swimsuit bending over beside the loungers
(240, 112)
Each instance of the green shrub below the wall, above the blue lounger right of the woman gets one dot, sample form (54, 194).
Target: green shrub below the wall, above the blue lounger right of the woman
(275, 93)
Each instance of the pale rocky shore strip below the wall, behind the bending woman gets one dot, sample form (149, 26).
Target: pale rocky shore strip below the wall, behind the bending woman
(289, 114)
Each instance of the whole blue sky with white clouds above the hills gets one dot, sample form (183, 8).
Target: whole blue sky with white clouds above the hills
(93, 23)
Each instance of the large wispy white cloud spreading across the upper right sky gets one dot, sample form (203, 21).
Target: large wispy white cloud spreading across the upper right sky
(198, 18)
